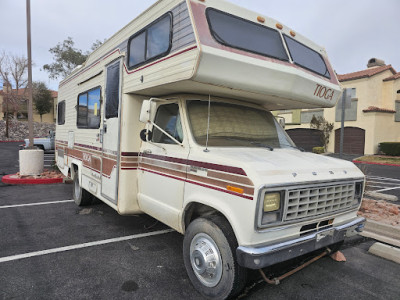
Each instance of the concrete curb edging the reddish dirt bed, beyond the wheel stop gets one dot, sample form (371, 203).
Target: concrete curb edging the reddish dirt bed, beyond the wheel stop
(382, 232)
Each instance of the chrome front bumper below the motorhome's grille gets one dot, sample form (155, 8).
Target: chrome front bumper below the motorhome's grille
(261, 257)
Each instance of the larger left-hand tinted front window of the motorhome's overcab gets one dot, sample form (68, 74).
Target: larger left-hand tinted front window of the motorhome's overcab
(243, 34)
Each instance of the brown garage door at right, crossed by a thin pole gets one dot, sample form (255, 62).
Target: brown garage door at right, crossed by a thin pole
(353, 141)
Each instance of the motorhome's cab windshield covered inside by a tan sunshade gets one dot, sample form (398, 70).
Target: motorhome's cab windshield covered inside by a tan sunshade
(235, 125)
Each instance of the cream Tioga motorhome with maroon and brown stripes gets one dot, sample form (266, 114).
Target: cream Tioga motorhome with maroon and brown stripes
(171, 117)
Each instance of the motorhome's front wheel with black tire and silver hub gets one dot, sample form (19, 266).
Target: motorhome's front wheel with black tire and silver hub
(225, 278)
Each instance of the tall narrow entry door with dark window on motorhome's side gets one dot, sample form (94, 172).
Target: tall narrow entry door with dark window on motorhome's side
(111, 132)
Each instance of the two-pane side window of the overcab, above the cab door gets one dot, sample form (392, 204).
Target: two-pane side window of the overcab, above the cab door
(152, 42)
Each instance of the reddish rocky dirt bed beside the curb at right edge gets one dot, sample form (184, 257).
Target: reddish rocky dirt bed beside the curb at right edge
(380, 211)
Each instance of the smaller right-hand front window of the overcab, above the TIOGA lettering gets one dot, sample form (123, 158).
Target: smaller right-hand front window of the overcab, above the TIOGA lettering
(306, 57)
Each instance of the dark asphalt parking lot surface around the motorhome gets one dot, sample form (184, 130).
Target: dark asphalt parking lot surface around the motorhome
(52, 249)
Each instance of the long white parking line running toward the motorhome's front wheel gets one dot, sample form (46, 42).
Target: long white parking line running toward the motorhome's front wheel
(84, 245)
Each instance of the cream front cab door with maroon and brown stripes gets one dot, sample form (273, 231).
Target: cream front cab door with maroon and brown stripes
(163, 168)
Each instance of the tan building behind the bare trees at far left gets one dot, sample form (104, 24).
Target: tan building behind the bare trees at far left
(22, 113)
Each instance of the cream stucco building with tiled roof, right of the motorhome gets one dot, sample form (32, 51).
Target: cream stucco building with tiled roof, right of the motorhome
(374, 115)
